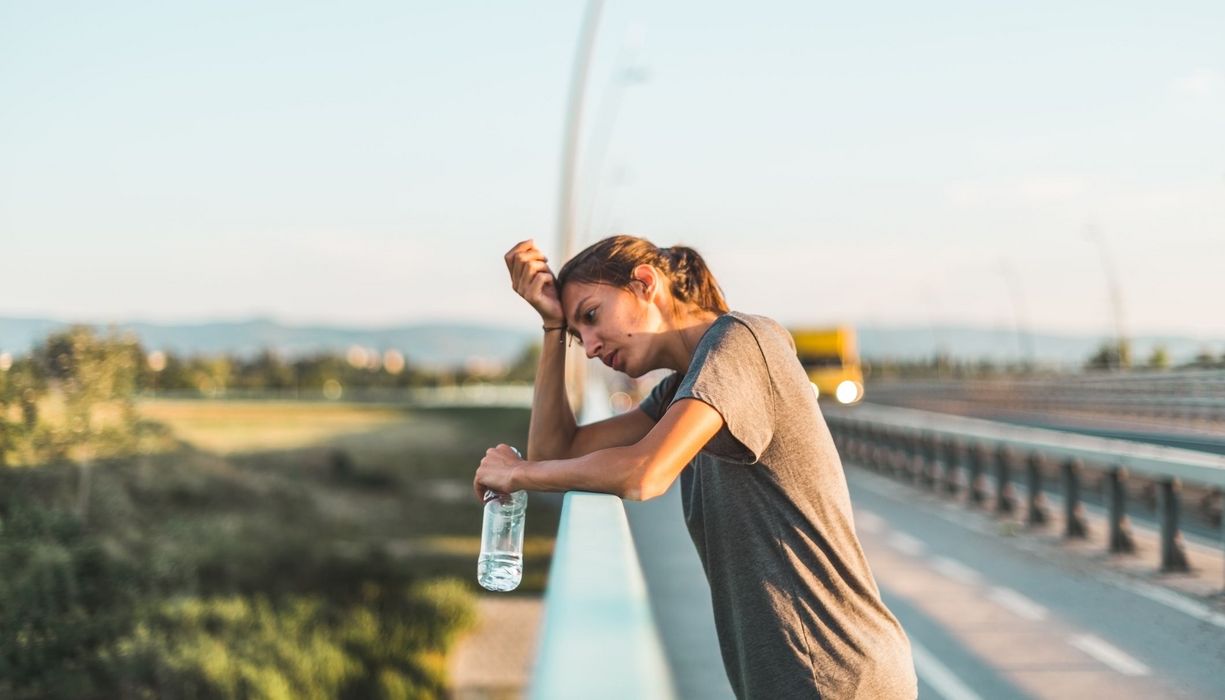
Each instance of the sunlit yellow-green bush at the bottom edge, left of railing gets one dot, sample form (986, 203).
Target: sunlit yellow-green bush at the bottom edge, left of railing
(301, 648)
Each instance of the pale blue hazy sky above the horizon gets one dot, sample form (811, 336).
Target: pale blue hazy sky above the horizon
(369, 162)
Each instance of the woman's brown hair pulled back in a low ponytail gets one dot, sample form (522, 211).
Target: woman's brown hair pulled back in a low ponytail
(612, 262)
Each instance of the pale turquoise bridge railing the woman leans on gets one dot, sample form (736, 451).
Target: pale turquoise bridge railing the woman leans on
(598, 638)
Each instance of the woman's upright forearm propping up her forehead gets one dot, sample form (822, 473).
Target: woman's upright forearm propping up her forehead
(553, 427)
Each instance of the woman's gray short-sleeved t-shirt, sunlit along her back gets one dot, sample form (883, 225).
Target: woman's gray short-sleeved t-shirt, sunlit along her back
(796, 606)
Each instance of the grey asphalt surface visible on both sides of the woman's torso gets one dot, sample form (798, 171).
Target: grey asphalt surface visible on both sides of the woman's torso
(990, 616)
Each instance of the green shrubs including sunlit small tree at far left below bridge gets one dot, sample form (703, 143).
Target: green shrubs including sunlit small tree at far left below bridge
(137, 573)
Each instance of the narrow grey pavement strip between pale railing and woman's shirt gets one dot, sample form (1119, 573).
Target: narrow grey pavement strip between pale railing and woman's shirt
(680, 598)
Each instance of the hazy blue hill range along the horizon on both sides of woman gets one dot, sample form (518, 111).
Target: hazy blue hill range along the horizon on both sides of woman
(449, 345)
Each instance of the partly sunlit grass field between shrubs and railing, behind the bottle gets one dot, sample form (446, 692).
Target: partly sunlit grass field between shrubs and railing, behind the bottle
(385, 475)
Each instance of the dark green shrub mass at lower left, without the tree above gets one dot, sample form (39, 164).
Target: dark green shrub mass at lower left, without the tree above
(214, 601)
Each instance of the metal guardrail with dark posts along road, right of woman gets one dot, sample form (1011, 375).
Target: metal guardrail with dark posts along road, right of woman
(954, 454)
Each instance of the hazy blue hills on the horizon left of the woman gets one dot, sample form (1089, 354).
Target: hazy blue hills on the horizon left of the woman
(429, 345)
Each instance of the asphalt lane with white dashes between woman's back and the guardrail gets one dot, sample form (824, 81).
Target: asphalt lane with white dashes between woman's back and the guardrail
(1005, 618)
